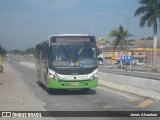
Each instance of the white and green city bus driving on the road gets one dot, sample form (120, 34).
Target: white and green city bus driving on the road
(67, 61)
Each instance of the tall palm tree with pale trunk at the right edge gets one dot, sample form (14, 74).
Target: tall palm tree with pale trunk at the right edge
(150, 12)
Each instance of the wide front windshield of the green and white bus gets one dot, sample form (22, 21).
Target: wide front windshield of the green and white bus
(73, 56)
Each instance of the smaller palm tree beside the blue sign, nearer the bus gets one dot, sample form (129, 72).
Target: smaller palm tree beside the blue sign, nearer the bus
(120, 36)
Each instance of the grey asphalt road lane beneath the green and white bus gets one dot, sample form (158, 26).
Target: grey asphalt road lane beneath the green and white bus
(99, 99)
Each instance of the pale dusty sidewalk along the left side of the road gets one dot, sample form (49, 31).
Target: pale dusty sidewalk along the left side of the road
(16, 95)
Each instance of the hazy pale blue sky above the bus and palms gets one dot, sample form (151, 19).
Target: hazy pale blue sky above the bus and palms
(25, 22)
